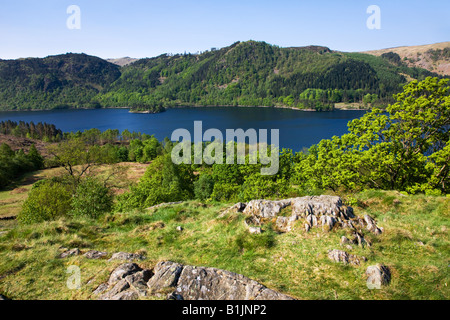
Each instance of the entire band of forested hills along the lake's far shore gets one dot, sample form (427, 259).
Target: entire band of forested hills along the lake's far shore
(249, 73)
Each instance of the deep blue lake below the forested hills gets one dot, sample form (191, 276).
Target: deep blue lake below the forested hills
(298, 129)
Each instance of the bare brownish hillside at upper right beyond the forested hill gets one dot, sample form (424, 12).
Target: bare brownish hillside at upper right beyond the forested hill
(433, 57)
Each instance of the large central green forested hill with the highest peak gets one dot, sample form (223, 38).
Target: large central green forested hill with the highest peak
(256, 73)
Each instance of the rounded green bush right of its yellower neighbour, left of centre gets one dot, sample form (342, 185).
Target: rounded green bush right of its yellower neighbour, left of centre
(92, 199)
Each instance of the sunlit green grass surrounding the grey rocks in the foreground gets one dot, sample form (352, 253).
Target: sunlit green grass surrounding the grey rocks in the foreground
(414, 245)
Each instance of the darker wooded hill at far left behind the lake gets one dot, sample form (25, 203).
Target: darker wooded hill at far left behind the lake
(68, 80)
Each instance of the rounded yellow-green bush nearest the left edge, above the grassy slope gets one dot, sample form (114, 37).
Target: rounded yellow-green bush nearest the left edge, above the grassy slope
(46, 201)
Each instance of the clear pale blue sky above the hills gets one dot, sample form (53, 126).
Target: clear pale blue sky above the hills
(138, 28)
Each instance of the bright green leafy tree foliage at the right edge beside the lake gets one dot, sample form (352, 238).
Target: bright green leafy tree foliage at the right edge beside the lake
(405, 148)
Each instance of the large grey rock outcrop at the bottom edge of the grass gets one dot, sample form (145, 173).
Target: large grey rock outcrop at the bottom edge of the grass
(129, 281)
